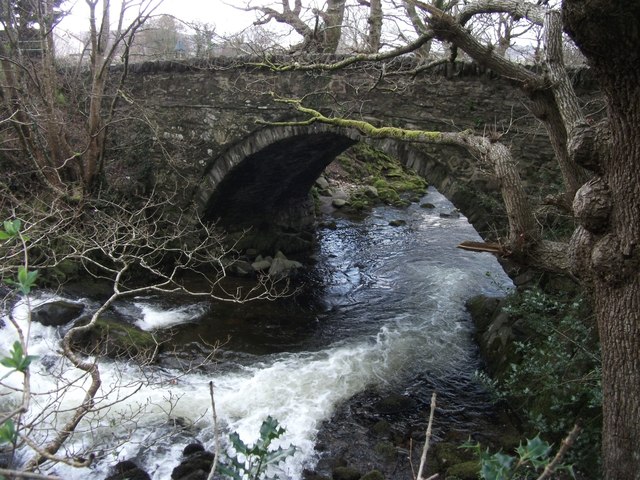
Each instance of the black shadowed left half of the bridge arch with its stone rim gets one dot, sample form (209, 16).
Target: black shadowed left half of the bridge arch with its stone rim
(269, 173)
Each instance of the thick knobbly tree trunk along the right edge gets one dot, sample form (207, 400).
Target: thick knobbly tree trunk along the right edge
(607, 33)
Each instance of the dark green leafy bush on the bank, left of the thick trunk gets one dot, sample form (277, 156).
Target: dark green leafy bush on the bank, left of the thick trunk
(557, 381)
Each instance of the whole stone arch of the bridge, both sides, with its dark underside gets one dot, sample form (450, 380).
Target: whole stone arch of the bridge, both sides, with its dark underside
(263, 182)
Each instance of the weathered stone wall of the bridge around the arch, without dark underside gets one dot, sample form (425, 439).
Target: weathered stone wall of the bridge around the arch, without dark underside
(193, 115)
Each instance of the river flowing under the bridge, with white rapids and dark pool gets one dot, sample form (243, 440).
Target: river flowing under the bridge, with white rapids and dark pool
(386, 302)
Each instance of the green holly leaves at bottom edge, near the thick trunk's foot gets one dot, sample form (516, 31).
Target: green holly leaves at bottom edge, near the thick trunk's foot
(529, 462)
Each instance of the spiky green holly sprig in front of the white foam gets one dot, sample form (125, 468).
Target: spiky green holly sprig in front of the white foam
(251, 461)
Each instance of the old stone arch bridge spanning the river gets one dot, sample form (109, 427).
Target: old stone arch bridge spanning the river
(211, 119)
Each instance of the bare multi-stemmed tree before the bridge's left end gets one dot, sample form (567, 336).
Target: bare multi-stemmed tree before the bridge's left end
(66, 148)
